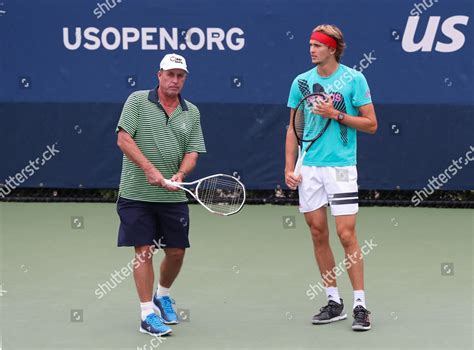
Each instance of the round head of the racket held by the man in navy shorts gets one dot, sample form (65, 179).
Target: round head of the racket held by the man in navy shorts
(221, 194)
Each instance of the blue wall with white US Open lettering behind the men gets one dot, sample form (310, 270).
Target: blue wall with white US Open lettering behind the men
(50, 92)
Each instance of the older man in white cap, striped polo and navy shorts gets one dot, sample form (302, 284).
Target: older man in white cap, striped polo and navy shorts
(160, 135)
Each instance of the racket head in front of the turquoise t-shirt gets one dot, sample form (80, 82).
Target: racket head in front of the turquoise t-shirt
(307, 125)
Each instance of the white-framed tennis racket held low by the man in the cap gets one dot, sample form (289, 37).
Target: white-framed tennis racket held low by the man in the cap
(220, 194)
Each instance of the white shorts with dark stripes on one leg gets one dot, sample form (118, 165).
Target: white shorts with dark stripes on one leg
(334, 185)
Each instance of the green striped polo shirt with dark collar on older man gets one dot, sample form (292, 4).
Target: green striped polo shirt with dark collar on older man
(163, 140)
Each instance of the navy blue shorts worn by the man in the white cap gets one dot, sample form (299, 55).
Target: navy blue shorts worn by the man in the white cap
(165, 225)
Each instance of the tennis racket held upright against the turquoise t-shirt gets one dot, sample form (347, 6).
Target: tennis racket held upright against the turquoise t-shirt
(308, 126)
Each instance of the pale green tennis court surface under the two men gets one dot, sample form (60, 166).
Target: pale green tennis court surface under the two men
(244, 283)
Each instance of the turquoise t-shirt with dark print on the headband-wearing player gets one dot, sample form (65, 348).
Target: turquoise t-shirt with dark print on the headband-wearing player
(349, 89)
